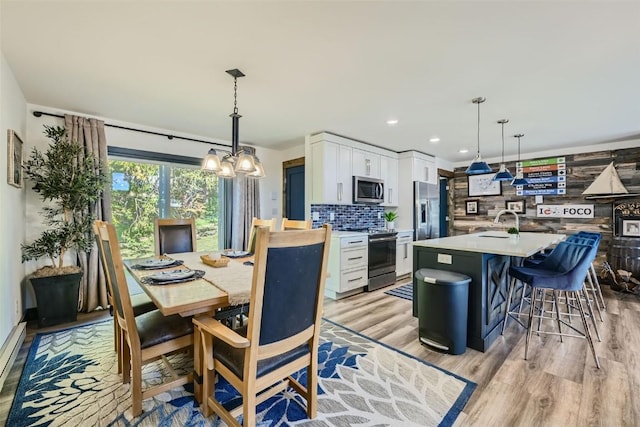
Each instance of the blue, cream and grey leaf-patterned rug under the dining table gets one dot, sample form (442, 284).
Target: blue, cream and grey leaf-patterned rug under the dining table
(70, 379)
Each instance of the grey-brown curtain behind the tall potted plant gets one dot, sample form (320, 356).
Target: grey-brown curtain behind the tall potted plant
(90, 133)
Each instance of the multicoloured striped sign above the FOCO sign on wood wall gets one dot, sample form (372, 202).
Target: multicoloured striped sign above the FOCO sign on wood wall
(544, 176)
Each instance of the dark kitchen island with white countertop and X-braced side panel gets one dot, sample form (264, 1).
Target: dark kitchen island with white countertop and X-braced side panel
(486, 258)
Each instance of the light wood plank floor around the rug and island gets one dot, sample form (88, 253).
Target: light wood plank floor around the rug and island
(558, 386)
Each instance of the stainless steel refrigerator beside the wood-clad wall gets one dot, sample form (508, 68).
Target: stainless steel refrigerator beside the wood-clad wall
(426, 211)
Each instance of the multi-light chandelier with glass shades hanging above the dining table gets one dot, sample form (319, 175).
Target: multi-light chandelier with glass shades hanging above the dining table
(239, 160)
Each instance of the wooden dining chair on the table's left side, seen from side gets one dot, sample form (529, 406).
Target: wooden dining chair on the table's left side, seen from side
(145, 338)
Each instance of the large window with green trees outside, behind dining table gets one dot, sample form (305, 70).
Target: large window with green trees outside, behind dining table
(147, 185)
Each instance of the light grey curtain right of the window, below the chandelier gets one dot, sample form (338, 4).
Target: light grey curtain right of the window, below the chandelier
(245, 206)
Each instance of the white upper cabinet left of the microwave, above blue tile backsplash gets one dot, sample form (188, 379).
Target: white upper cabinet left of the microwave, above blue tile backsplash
(331, 173)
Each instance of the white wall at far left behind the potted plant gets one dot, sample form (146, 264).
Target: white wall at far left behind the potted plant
(12, 205)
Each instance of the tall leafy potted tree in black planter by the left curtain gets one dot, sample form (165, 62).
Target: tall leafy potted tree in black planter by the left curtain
(69, 182)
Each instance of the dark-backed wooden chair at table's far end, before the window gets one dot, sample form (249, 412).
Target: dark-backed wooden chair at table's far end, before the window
(174, 235)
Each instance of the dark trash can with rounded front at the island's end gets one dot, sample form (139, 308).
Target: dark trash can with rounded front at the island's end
(443, 300)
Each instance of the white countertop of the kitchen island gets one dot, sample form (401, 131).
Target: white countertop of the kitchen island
(495, 242)
